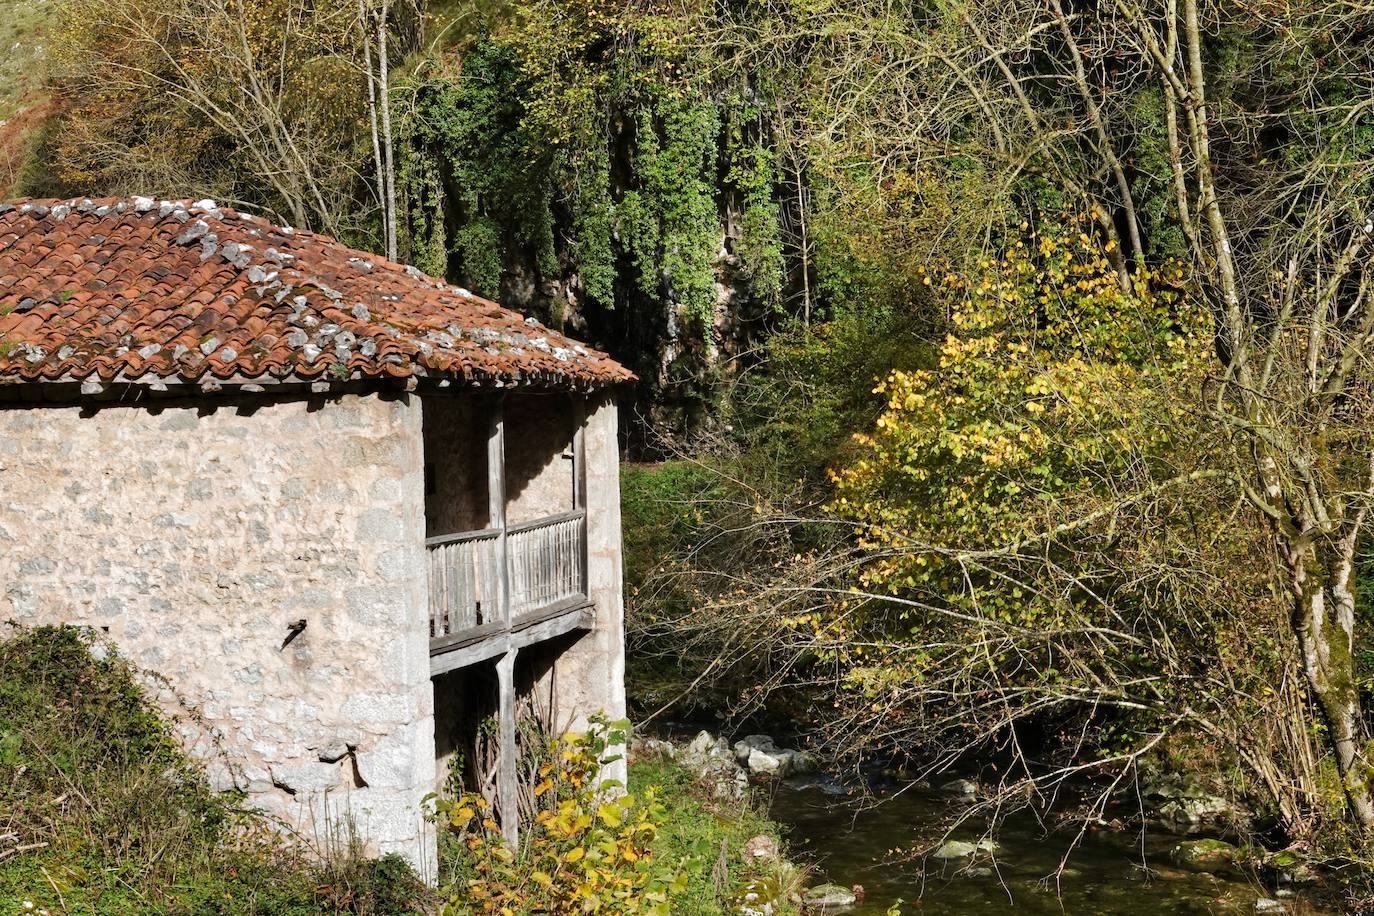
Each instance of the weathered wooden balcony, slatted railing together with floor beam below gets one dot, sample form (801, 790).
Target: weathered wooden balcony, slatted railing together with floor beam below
(504, 588)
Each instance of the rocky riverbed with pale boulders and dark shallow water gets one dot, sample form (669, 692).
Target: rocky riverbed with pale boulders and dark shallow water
(881, 843)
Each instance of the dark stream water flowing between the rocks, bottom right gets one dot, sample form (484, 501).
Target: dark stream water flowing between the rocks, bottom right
(850, 844)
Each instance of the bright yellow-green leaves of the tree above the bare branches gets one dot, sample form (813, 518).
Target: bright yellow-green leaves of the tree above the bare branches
(1053, 385)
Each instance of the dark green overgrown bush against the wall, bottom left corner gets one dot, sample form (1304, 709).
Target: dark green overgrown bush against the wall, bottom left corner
(119, 822)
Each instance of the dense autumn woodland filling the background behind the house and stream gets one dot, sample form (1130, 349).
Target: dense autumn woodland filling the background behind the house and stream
(1005, 367)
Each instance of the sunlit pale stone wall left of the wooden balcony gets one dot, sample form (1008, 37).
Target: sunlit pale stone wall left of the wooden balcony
(194, 535)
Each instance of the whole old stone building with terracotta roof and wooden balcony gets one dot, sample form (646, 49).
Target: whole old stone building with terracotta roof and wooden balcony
(346, 509)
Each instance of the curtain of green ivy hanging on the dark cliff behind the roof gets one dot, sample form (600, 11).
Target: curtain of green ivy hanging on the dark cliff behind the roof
(543, 145)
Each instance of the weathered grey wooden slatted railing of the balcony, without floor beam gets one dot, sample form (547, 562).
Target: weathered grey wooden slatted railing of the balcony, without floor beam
(546, 565)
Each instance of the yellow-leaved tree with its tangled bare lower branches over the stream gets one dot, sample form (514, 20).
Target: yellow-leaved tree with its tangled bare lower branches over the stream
(1044, 539)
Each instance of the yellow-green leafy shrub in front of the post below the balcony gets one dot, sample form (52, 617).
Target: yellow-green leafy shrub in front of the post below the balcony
(589, 849)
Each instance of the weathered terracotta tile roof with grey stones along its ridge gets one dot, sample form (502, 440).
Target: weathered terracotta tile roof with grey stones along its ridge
(163, 290)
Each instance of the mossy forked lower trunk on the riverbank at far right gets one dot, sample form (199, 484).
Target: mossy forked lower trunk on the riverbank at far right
(1324, 621)
